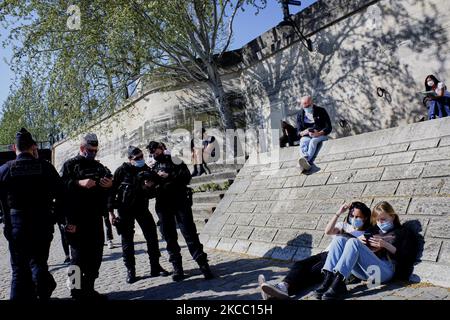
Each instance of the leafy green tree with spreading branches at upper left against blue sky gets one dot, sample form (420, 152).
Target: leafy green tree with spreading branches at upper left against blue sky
(83, 73)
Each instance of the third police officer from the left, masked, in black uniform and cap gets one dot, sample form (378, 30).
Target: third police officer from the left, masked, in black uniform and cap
(130, 195)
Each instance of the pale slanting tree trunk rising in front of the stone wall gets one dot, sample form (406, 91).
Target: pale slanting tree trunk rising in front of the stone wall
(220, 101)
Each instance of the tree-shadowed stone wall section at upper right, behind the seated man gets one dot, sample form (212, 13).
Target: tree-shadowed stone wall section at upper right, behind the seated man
(388, 44)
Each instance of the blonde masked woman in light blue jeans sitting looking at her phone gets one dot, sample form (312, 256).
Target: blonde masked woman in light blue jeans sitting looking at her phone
(390, 250)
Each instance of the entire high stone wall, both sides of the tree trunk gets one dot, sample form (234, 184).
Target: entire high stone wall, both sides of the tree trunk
(359, 45)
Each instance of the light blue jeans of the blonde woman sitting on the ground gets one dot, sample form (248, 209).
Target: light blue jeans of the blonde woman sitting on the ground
(351, 256)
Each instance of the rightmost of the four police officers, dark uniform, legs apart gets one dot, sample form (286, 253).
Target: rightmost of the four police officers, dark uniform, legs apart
(173, 205)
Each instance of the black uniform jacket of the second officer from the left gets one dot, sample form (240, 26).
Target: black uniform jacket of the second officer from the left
(80, 204)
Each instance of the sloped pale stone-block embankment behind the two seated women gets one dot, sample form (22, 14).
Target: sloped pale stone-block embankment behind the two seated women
(273, 210)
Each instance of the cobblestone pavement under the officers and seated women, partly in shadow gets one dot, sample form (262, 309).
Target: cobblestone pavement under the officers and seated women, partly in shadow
(237, 278)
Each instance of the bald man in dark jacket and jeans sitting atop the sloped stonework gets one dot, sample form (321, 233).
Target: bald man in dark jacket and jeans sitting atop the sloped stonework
(314, 126)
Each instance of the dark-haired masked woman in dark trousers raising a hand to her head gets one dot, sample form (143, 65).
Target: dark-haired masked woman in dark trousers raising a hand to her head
(307, 272)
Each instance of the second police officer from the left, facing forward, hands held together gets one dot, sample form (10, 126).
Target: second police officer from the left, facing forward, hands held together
(87, 185)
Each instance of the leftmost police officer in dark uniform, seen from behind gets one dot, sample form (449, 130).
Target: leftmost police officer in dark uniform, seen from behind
(28, 188)
